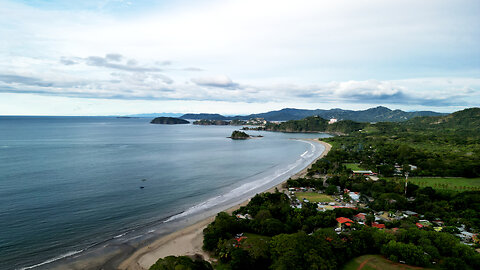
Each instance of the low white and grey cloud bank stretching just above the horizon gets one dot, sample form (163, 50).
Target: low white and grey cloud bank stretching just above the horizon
(438, 92)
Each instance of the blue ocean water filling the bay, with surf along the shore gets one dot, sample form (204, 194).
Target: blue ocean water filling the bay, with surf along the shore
(68, 183)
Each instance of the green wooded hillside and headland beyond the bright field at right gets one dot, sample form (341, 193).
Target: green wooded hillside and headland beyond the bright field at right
(436, 146)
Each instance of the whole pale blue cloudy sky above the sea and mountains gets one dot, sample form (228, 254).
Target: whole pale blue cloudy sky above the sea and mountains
(237, 57)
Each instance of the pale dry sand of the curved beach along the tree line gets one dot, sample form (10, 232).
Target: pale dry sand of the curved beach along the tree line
(189, 240)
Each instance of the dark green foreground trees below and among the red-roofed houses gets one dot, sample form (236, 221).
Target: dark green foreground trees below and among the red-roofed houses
(304, 238)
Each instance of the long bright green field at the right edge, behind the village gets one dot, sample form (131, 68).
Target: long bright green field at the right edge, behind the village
(451, 183)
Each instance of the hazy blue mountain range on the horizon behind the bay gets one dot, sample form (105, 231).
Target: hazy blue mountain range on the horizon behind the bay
(377, 114)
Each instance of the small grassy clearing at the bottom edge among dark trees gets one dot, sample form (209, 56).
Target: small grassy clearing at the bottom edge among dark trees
(374, 262)
